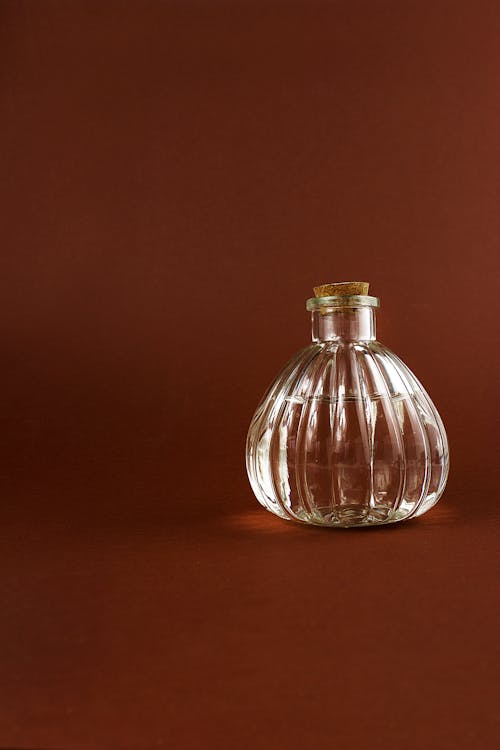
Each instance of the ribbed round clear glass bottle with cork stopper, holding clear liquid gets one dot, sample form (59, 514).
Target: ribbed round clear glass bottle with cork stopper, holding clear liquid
(346, 435)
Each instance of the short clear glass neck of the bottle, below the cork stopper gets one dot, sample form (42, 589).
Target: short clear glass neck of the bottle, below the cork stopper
(344, 323)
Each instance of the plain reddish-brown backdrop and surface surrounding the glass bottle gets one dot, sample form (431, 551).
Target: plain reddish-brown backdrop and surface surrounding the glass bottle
(175, 179)
